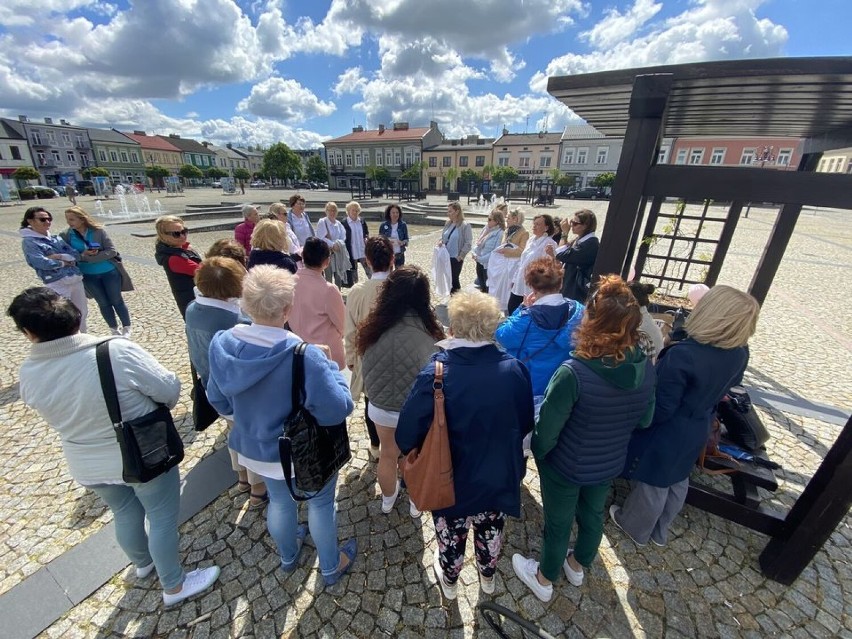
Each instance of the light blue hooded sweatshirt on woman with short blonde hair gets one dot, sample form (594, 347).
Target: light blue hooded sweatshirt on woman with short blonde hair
(251, 379)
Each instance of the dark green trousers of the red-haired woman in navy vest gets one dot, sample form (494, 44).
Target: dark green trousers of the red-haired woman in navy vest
(563, 502)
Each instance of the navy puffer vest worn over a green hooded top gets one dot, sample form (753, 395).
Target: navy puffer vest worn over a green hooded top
(593, 443)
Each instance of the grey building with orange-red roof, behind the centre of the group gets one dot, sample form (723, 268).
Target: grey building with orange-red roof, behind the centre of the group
(396, 149)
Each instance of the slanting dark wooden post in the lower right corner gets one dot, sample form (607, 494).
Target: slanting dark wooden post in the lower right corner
(817, 512)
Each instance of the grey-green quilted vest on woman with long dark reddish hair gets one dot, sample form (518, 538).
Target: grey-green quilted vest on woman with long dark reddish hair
(391, 365)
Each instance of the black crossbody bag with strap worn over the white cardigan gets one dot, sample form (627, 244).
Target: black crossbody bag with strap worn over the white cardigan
(150, 445)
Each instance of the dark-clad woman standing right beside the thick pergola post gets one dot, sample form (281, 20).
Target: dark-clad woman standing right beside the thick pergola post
(578, 255)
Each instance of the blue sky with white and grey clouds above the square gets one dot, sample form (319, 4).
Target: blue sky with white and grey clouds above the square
(255, 72)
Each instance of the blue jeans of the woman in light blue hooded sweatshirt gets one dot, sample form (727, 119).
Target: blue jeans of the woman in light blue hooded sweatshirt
(282, 519)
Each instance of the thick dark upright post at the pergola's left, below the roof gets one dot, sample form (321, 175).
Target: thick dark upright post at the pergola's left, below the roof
(641, 144)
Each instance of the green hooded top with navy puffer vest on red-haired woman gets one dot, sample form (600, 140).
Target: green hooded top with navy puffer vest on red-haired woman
(590, 409)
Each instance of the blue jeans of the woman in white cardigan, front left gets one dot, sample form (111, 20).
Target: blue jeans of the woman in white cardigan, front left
(159, 499)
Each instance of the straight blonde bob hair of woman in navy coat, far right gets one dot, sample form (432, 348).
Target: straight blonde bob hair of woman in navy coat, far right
(725, 318)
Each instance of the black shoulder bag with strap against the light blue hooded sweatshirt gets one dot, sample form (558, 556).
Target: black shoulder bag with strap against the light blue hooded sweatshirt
(310, 453)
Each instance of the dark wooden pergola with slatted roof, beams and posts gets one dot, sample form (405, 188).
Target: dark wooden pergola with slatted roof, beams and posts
(809, 98)
